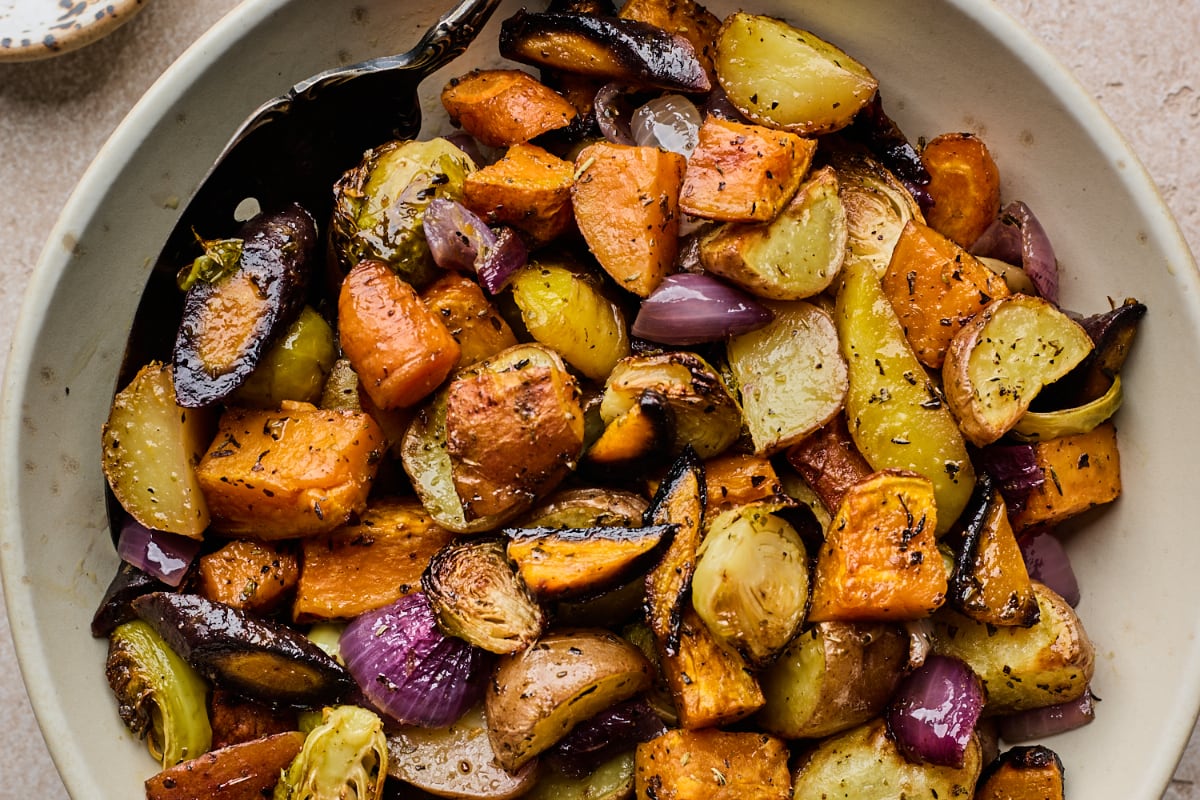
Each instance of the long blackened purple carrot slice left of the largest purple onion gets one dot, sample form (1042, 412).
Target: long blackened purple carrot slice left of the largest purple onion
(243, 653)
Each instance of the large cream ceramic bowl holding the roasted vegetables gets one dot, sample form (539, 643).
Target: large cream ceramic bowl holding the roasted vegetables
(944, 65)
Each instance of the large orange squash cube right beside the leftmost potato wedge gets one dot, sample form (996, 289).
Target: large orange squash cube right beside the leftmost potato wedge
(297, 472)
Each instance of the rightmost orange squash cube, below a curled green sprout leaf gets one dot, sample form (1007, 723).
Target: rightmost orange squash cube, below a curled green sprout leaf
(1082, 472)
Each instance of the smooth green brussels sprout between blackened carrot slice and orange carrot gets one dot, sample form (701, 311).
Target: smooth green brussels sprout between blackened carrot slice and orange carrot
(295, 368)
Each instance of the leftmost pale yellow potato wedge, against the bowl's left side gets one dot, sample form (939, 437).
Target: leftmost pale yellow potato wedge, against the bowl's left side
(152, 447)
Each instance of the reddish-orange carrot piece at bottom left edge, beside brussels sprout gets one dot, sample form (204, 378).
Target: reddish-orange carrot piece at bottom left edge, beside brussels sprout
(244, 772)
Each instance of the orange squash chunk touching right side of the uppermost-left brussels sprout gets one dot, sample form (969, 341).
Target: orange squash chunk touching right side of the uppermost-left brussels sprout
(529, 189)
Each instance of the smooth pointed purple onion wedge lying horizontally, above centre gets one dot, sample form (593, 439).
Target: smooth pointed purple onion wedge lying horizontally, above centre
(689, 309)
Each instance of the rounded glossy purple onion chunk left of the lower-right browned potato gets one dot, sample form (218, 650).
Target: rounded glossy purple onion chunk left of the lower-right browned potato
(934, 712)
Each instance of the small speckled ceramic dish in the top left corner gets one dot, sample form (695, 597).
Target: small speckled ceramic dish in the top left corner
(39, 29)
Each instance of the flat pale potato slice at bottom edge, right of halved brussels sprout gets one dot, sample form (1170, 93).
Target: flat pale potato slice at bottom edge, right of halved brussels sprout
(457, 761)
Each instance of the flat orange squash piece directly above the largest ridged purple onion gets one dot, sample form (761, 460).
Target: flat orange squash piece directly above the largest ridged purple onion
(369, 563)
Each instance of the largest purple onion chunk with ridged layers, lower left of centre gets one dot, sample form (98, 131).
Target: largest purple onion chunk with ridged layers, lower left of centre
(409, 669)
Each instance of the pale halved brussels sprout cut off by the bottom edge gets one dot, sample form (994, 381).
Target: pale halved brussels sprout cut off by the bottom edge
(344, 759)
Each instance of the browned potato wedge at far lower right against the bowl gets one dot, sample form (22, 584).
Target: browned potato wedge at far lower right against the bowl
(1023, 667)
